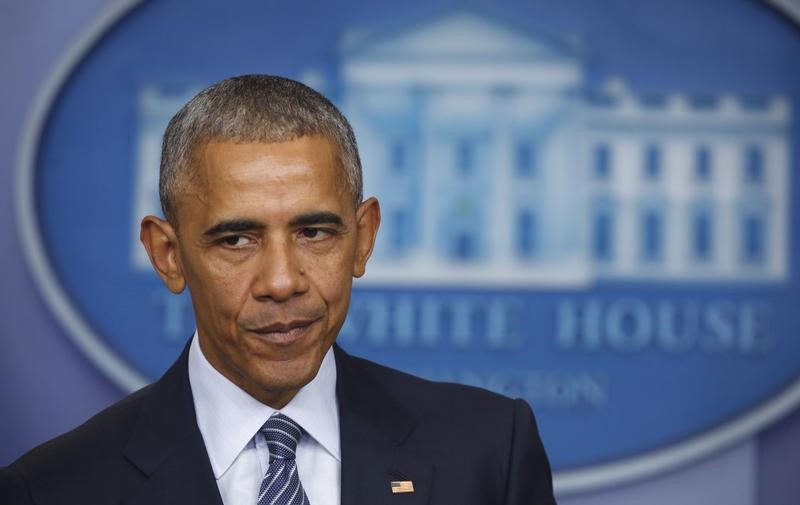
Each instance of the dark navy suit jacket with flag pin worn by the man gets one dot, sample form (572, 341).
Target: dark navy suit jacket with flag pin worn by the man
(459, 445)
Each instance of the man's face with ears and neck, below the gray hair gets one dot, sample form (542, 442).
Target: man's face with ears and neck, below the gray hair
(268, 241)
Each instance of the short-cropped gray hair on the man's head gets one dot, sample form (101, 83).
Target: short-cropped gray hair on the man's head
(252, 108)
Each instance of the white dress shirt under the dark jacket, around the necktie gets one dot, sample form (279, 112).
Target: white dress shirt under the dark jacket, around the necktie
(229, 420)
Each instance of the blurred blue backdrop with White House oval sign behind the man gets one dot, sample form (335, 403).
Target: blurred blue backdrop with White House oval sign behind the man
(638, 157)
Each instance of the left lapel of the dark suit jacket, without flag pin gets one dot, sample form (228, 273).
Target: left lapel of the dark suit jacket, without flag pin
(166, 445)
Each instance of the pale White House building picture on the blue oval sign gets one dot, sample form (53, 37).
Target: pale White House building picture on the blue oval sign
(496, 165)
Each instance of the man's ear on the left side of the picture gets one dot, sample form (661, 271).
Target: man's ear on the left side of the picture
(161, 242)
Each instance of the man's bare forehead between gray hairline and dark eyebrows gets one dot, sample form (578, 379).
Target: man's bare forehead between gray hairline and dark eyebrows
(229, 176)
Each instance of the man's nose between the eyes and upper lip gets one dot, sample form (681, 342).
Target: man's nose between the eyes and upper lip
(280, 274)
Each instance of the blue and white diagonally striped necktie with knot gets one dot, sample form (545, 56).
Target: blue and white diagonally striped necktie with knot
(281, 484)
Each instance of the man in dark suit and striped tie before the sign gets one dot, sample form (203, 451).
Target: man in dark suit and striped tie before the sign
(266, 226)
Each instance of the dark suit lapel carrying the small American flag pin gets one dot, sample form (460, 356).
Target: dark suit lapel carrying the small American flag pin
(374, 427)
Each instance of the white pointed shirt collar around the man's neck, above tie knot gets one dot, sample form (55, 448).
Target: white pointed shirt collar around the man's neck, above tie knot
(228, 417)
